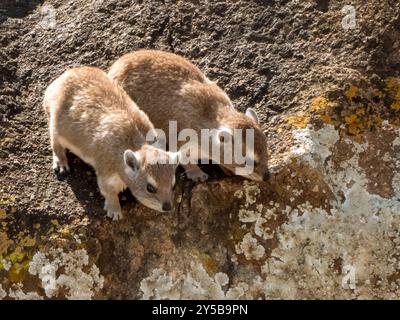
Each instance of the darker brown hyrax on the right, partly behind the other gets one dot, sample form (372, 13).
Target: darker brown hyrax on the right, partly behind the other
(169, 87)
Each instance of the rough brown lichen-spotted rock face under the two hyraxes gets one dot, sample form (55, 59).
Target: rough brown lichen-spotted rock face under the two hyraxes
(328, 91)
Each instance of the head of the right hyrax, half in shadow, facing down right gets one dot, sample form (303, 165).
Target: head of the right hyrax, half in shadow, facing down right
(241, 137)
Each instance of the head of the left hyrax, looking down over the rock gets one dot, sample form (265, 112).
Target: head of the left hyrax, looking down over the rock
(150, 175)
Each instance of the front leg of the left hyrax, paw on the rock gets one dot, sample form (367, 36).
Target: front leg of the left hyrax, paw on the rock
(110, 193)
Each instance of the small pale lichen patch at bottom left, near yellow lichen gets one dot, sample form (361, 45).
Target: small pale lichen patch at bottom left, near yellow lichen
(67, 271)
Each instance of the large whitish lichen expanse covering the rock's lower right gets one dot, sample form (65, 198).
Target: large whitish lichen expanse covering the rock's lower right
(349, 252)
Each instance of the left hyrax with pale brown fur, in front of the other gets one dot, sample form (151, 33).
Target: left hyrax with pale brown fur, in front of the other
(97, 121)
